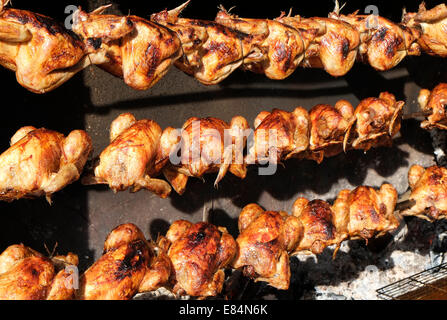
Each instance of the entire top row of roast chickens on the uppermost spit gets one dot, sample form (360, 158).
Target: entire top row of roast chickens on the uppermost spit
(44, 54)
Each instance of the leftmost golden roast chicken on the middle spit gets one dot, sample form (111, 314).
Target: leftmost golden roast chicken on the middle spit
(41, 162)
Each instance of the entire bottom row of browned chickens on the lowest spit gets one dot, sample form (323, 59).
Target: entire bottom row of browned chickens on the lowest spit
(191, 258)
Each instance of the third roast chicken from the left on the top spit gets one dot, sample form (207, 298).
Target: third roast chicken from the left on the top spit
(211, 52)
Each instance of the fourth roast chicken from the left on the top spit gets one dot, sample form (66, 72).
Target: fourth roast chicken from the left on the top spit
(276, 48)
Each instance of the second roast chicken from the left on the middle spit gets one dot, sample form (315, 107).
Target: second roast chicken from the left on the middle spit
(129, 160)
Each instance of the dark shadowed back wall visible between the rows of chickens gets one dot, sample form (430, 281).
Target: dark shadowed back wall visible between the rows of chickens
(81, 217)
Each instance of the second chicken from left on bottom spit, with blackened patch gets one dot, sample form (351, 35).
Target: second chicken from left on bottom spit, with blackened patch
(129, 265)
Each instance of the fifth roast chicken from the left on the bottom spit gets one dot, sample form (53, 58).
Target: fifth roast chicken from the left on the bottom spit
(322, 227)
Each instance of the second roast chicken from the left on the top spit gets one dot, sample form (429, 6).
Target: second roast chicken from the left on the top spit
(137, 50)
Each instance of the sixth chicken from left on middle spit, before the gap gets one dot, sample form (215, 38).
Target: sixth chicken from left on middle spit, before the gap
(376, 121)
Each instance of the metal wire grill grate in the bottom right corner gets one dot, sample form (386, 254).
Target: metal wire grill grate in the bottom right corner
(430, 284)
